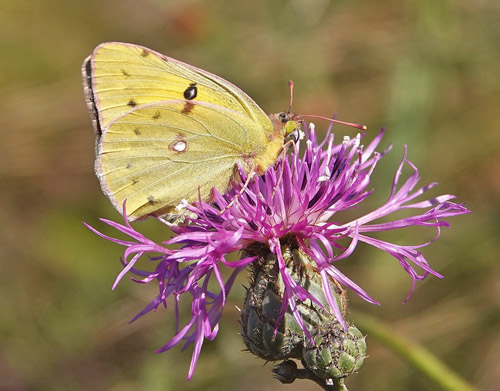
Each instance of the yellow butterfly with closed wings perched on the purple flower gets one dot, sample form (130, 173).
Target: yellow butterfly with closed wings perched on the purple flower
(166, 130)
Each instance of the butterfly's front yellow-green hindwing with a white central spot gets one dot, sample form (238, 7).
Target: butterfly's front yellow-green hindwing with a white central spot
(157, 154)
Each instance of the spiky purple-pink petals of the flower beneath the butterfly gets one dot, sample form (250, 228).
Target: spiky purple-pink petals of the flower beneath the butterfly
(298, 198)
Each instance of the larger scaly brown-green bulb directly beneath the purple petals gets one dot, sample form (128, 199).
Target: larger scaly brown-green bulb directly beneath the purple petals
(264, 299)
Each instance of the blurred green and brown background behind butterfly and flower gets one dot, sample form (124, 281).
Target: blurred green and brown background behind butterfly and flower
(428, 70)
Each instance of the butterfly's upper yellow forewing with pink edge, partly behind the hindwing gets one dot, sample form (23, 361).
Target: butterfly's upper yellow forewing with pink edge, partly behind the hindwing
(123, 76)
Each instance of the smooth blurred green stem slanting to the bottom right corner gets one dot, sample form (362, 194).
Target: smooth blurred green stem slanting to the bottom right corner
(414, 354)
